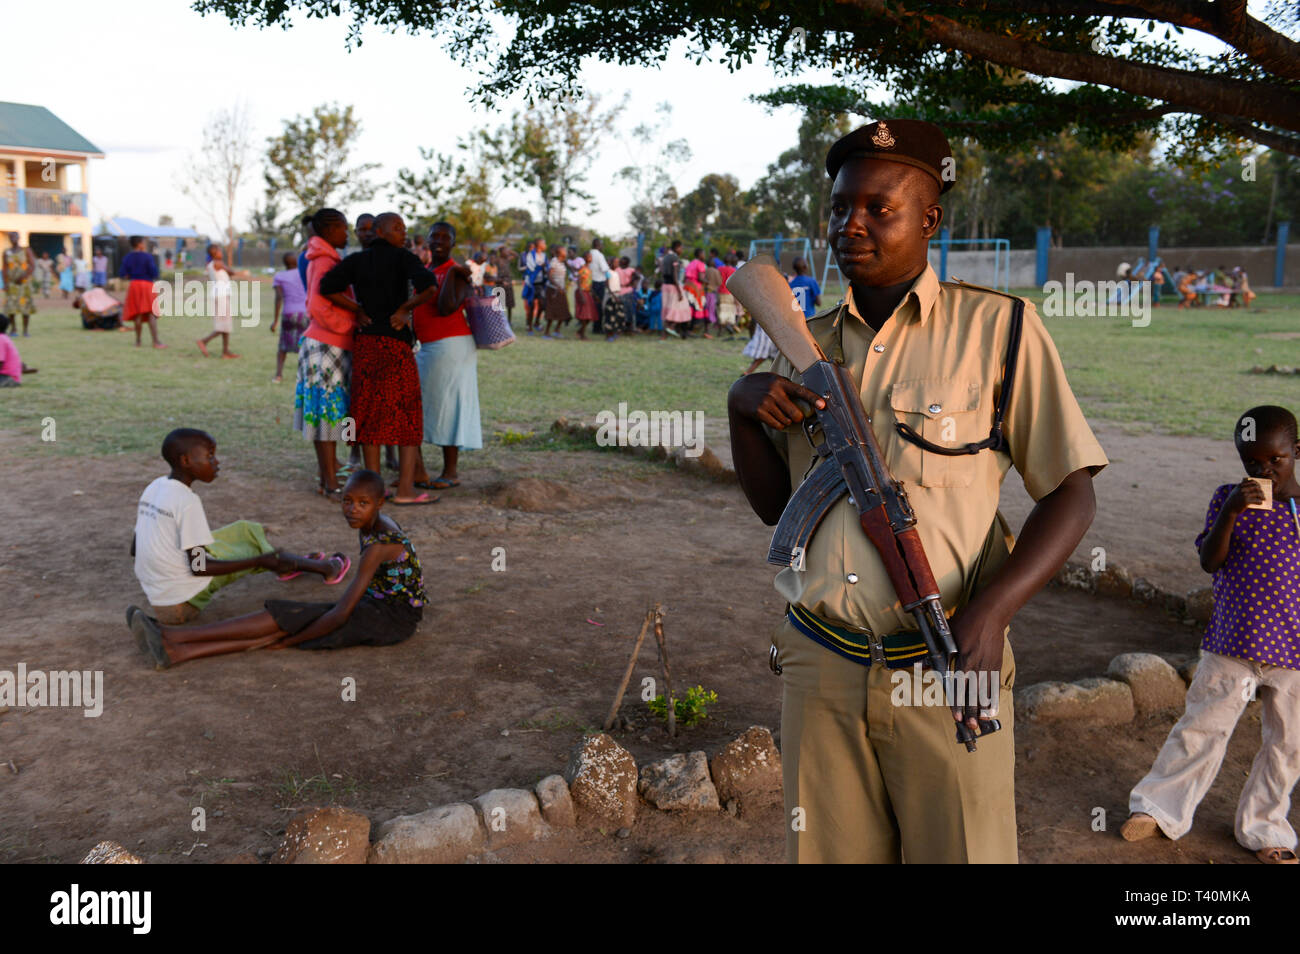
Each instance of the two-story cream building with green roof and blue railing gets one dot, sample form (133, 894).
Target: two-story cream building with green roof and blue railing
(45, 181)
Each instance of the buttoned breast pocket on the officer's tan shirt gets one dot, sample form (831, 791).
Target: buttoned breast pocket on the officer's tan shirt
(946, 413)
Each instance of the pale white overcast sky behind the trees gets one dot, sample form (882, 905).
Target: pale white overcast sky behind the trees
(141, 80)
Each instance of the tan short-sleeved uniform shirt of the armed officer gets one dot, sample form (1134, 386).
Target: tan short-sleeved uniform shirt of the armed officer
(937, 365)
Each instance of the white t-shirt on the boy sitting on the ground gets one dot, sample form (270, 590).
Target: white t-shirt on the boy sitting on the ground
(168, 524)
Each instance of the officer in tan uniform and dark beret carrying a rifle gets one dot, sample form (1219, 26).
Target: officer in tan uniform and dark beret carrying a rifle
(869, 779)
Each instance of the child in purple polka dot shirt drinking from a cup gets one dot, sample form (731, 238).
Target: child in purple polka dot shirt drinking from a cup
(1253, 644)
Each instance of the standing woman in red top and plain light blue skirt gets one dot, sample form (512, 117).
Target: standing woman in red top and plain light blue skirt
(449, 371)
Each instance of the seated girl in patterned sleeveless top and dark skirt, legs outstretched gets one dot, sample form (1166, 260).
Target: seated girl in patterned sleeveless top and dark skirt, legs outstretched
(382, 608)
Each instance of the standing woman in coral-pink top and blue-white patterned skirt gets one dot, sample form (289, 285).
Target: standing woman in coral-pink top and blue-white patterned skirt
(324, 354)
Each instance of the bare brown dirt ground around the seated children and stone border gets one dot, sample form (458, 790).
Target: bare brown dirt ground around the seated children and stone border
(510, 667)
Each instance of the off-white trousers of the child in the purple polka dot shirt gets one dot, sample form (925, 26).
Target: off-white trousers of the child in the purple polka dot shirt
(1194, 752)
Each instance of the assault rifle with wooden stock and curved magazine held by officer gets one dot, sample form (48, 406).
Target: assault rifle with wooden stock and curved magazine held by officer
(859, 471)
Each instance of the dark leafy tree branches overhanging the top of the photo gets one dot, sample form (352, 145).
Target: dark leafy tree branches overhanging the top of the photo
(982, 68)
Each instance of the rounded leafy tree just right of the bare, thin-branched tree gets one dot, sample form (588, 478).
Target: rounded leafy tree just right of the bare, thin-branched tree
(309, 162)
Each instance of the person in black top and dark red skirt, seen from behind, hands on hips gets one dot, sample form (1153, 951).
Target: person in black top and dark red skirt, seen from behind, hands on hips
(385, 383)
